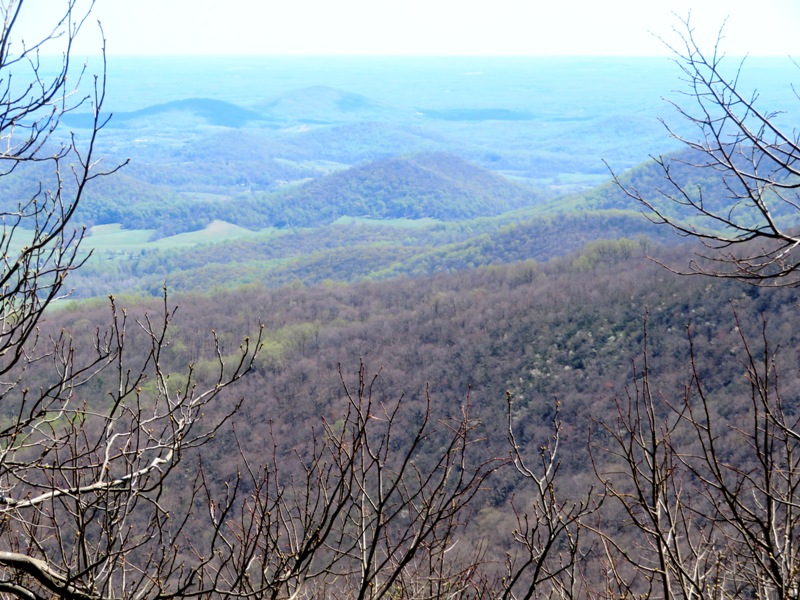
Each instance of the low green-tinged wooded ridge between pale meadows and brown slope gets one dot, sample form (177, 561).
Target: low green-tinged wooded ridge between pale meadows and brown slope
(360, 250)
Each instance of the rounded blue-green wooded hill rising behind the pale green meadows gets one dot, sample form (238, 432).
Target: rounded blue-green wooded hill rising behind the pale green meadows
(419, 186)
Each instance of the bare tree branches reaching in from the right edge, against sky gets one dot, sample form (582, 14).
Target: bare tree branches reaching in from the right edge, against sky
(751, 233)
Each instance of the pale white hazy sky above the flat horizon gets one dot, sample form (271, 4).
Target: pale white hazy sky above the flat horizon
(438, 27)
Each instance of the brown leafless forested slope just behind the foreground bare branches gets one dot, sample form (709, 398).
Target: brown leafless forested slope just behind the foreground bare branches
(566, 336)
